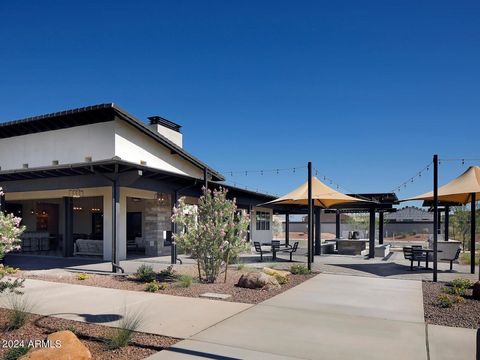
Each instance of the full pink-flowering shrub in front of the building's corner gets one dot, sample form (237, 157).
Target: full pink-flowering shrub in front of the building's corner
(212, 232)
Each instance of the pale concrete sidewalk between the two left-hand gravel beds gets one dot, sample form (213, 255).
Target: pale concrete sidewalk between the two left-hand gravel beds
(168, 315)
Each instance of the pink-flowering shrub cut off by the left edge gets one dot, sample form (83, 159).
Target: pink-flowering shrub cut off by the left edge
(10, 231)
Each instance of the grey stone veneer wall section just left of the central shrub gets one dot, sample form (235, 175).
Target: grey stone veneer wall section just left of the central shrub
(157, 217)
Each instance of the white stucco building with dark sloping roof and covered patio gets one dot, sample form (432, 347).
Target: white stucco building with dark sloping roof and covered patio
(88, 178)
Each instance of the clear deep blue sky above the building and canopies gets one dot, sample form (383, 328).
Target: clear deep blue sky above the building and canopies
(367, 90)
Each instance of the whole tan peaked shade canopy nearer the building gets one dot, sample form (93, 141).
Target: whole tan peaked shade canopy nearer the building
(322, 195)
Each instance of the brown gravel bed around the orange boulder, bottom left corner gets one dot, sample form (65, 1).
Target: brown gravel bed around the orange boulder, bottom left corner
(93, 336)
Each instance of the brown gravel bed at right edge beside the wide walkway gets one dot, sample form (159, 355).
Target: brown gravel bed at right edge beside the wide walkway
(462, 314)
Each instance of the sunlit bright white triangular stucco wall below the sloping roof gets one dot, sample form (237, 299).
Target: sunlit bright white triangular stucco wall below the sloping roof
(133, 146)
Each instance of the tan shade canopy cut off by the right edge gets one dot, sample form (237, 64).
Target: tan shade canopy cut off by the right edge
(458, 190)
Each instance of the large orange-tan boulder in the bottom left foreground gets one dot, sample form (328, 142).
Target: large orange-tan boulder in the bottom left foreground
(64, 345)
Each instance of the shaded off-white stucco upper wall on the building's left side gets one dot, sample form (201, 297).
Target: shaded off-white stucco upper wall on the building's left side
(68, 146)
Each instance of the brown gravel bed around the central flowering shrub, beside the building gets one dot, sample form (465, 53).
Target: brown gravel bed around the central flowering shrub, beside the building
(241, 295)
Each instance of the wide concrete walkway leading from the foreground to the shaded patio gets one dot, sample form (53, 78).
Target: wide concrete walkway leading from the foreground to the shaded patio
(331, 317)
